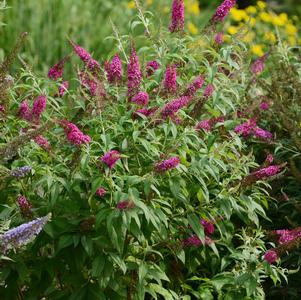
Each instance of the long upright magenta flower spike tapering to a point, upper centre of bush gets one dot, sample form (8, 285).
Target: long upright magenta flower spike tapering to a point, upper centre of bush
(134, 73)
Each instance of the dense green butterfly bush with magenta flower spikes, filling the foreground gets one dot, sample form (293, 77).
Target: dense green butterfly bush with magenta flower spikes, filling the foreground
(146, 176)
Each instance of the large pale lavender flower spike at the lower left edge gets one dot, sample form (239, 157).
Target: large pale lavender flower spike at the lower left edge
(23, 234)
